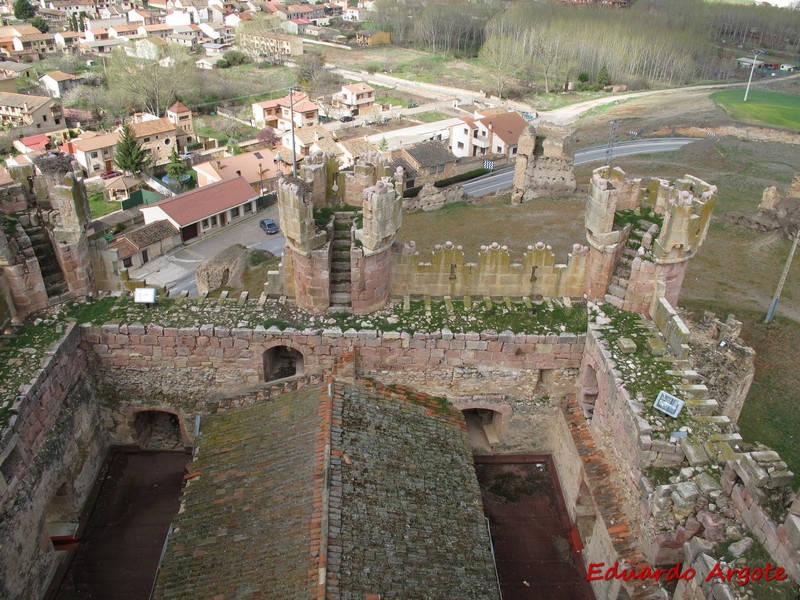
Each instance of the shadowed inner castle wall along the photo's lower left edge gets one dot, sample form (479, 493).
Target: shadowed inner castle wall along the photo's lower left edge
(55, 444)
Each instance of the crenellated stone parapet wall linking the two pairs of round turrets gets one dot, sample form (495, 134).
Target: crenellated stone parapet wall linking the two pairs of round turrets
(447, 273)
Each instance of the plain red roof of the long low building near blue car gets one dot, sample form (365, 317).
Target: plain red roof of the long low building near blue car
(196, 205)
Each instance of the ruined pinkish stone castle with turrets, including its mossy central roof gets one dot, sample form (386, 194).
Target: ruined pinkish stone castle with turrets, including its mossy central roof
(583, 396)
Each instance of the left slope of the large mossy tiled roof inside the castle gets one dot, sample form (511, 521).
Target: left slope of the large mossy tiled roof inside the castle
(244, 528)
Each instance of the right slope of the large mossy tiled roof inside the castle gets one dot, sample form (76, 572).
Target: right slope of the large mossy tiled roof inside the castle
(412, 523)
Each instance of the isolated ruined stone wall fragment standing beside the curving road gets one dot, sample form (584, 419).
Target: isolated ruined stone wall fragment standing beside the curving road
(544, 167)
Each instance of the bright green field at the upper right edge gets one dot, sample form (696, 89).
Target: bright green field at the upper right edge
(765, 108)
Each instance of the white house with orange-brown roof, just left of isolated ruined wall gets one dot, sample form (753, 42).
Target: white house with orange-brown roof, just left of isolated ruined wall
(487, 134)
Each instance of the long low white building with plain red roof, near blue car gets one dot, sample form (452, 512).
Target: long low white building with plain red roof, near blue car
(205, 210)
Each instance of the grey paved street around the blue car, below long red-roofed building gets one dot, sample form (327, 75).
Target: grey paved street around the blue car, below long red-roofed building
(177, 269)
